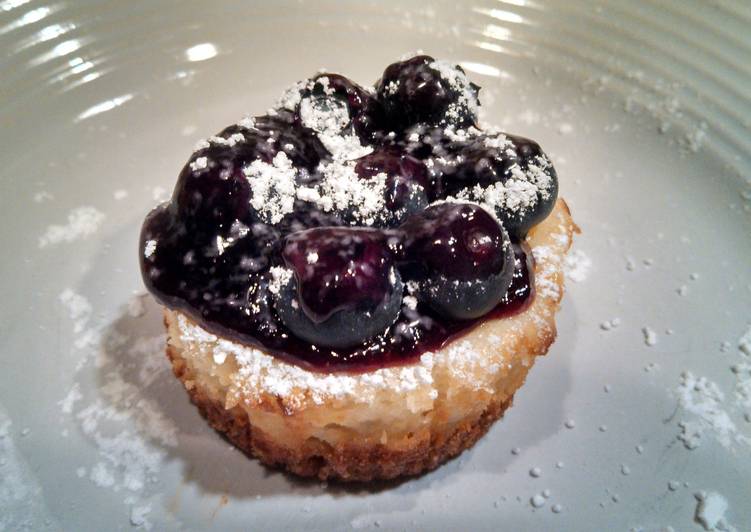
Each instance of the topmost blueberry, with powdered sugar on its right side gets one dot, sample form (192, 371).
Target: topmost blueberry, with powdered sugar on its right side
(421, 90)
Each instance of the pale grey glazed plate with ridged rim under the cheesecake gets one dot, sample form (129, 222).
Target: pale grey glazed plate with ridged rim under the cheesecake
(644, 107)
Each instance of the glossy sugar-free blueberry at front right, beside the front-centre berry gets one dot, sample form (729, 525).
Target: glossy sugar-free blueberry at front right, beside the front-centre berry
(460, 256)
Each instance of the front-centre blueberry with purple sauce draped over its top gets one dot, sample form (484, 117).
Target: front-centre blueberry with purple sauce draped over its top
(344, 288)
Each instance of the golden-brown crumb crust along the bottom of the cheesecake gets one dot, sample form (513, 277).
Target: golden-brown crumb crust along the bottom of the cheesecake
(346, 462)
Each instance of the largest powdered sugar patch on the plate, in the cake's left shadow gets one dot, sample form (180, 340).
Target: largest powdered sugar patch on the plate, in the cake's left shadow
(126, 425)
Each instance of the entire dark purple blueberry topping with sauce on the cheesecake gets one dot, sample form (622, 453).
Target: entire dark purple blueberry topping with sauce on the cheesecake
(353, 228)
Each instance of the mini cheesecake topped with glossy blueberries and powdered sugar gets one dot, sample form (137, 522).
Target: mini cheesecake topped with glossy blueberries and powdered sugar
(356, 283)
